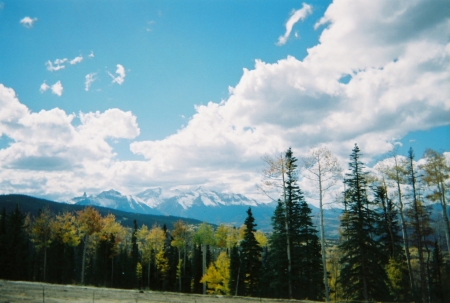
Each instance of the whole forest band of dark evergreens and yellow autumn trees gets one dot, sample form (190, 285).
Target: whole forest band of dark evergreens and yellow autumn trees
(389, 248)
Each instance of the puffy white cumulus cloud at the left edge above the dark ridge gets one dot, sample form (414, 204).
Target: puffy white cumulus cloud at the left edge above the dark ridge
(50, 156)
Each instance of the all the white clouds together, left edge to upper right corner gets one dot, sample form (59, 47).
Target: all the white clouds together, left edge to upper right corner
(394, 55)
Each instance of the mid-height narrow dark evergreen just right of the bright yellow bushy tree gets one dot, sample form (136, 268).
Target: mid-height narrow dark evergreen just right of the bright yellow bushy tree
(251, 257)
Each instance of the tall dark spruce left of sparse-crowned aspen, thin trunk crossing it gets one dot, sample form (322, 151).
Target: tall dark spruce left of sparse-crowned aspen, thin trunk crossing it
(306, 275)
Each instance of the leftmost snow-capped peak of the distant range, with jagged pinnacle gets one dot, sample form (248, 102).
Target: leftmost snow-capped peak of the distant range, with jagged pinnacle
(115, 200)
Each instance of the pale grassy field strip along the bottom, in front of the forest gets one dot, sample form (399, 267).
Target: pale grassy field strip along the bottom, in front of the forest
(17, 291)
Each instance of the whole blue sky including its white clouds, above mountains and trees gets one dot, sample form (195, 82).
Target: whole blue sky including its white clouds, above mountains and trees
(193, 93)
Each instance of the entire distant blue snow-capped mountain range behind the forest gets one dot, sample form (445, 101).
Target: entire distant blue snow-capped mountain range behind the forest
(200, 204)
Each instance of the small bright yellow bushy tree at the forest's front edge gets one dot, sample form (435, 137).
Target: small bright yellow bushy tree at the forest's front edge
(217, 276)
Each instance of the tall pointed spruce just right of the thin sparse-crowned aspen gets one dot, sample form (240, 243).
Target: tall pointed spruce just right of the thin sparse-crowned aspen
(362, 274)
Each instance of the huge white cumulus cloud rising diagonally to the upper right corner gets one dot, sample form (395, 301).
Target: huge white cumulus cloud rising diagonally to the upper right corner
(398, 82)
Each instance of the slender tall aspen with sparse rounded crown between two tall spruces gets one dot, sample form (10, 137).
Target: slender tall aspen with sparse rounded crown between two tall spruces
(323, 169)
